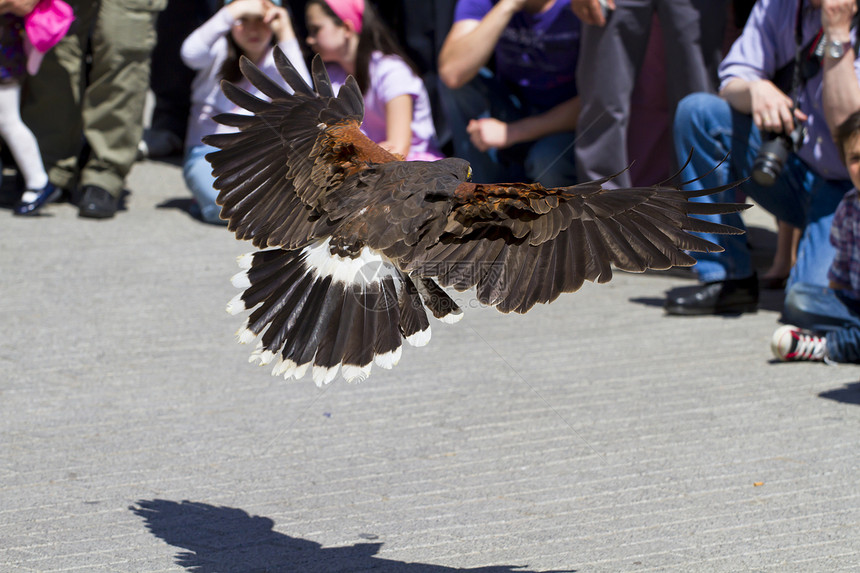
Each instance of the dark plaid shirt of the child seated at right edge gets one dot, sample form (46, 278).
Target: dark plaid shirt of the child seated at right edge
(845, 236)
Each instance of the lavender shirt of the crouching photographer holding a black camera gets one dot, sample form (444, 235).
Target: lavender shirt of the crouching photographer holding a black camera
(767, 44)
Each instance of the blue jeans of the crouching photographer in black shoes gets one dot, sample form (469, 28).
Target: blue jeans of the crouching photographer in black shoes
(708, 126)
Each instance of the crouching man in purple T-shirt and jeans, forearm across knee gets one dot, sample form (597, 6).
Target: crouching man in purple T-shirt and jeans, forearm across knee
(518, 122)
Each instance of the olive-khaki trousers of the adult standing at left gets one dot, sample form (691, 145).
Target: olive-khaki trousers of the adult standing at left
(64, 106)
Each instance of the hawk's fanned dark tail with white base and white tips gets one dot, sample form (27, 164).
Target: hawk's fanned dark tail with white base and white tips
(314, 310)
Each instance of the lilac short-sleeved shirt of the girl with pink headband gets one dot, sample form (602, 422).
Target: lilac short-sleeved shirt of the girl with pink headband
(391, 77)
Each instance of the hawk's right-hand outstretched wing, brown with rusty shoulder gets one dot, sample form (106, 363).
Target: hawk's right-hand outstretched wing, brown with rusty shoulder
(554, 239)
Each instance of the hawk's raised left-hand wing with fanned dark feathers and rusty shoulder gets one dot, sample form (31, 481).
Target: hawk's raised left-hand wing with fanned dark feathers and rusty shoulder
(273, 173)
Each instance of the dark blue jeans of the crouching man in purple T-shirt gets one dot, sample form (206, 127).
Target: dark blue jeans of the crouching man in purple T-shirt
(548, 160)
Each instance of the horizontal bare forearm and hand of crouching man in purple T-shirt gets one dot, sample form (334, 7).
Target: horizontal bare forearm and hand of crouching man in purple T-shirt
(489, 132)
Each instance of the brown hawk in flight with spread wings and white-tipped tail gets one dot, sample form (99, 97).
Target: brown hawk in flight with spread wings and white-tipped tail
(356, 245)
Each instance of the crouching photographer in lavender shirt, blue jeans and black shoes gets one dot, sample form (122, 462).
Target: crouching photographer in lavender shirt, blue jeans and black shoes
(790, 78)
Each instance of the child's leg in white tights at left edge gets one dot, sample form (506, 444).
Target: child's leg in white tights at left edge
(19, 138)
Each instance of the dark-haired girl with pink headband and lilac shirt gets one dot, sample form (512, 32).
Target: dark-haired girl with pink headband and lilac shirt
(352, 39)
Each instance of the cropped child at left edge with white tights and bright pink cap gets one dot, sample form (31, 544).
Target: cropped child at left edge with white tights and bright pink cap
(18, 57)
